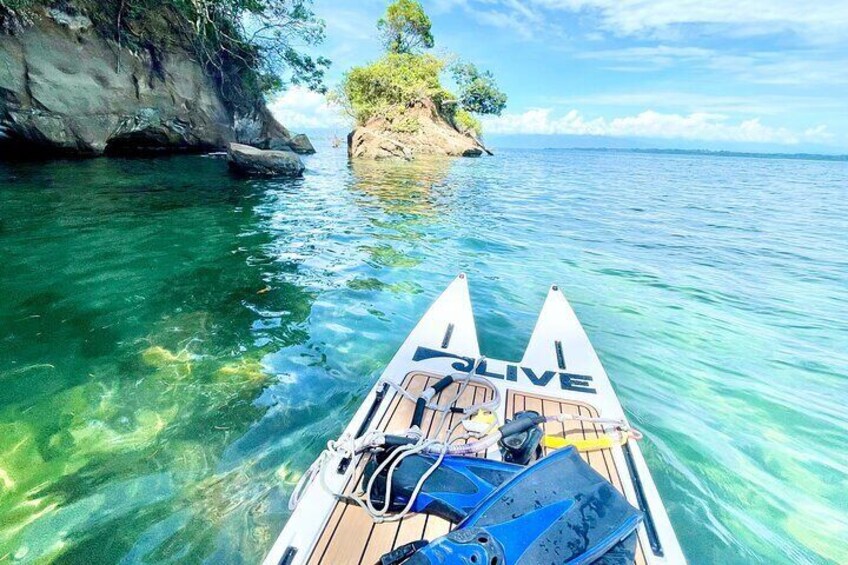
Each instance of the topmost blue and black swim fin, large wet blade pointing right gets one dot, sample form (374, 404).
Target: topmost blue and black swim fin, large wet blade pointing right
(558, 510)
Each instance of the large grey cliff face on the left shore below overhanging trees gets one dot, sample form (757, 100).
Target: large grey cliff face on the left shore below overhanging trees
(66, 90)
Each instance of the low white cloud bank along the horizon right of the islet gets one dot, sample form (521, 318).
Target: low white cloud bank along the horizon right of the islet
(701, 126)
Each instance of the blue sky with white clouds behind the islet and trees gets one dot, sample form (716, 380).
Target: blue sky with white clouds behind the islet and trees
(713, 74)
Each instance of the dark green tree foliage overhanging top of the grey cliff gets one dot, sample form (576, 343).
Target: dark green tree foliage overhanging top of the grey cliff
(249, 47)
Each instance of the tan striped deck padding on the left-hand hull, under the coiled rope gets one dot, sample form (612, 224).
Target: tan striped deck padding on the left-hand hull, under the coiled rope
(350, 536)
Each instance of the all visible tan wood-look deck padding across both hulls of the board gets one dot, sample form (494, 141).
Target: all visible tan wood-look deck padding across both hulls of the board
(351, 537)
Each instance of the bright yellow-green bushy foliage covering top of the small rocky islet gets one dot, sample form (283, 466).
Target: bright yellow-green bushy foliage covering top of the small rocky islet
(398, 79)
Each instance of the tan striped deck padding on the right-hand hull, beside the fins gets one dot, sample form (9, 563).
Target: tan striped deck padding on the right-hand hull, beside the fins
(601, 461)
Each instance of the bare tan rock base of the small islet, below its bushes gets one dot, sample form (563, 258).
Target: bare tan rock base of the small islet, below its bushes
(419, 130)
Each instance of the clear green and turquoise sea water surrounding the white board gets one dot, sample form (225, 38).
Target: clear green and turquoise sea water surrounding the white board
(176, 345)
